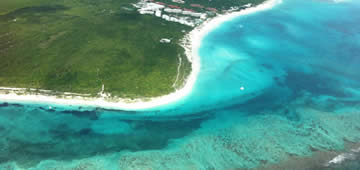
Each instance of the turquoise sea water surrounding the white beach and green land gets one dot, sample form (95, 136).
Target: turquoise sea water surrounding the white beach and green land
(298, 64)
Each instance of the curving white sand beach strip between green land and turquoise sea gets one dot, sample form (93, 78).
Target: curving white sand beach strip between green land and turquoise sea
(191, 43)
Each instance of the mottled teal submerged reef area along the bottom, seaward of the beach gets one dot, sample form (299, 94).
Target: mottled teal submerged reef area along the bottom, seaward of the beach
(227, 139)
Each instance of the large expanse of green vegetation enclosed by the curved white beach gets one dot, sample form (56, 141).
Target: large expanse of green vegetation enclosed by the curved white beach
(78, 45)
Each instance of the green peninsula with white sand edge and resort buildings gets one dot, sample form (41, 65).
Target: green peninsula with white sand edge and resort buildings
(77, 51)
